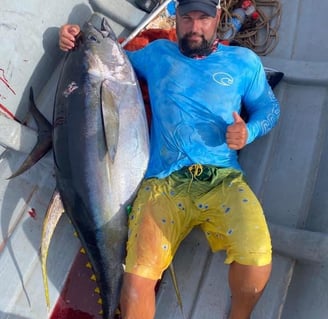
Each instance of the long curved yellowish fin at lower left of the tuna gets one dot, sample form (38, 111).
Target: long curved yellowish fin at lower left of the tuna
(53, 214)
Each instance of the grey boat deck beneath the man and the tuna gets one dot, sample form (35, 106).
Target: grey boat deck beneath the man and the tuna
(287, 169)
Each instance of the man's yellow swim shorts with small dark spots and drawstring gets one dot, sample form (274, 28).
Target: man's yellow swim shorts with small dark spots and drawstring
(217, 199)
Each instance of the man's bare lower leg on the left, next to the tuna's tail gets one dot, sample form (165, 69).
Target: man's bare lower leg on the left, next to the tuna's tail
(137, 297)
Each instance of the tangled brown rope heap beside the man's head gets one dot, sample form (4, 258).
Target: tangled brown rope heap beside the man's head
(260, 35)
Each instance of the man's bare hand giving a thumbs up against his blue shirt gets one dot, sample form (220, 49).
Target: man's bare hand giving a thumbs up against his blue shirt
(236, 135)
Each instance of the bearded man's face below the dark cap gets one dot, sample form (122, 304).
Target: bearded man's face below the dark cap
(196, 32)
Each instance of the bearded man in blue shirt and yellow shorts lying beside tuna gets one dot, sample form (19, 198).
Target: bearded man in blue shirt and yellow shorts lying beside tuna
(196, 89)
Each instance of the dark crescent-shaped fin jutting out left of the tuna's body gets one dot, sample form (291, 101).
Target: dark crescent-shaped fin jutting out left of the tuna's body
(44, 143)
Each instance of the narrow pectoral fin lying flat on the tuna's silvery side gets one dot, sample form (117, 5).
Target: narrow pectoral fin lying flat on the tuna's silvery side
(110, 116)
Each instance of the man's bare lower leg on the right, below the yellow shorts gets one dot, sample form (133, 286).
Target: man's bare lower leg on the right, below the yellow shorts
(247, 284)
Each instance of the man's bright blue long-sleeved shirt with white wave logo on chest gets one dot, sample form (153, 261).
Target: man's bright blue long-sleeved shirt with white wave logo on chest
(192, 103)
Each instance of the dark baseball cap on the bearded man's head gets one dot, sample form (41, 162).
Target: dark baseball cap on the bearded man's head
(207, 6)
